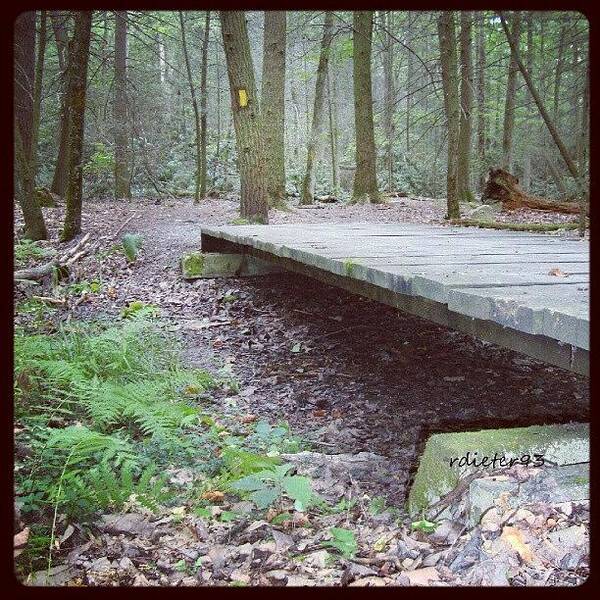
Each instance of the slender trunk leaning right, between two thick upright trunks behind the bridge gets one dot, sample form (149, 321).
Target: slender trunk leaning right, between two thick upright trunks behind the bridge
(308, 184)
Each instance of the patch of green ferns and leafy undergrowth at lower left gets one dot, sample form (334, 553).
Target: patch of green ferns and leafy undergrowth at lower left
(104, 412)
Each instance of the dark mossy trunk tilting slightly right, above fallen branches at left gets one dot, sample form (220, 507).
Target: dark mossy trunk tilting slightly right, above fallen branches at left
(76, 109)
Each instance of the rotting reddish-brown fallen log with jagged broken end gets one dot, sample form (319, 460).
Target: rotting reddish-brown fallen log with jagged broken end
(502, 187)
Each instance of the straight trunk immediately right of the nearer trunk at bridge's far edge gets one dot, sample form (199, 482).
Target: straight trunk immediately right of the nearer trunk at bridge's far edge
(463, 174)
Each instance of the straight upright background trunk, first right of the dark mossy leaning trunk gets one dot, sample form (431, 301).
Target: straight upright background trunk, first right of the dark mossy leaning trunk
(122, 179)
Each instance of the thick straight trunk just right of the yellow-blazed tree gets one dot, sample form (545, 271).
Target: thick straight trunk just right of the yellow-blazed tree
(273, 103)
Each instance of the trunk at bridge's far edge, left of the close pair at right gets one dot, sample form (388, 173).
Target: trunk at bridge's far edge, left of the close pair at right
(448, 58)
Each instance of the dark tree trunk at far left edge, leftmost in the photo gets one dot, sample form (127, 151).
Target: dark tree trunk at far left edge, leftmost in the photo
(24, 46)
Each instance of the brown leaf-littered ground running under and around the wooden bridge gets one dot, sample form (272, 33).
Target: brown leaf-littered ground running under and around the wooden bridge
(350, 376)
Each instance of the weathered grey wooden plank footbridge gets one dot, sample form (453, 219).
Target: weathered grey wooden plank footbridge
(525, 291)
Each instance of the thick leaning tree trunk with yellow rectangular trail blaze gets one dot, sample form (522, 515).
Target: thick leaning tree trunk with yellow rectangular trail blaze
(247, 119)
